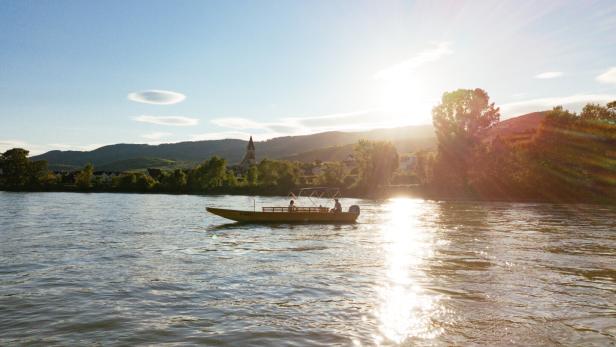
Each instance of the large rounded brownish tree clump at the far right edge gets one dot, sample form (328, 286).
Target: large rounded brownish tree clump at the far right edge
(574, 155)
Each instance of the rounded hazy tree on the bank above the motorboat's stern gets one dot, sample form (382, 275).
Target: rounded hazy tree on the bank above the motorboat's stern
(377, 162)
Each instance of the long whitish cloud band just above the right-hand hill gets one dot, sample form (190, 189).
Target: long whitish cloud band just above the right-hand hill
(573, 102)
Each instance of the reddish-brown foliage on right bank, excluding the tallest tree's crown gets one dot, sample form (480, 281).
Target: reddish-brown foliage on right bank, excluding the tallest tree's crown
(570, 158)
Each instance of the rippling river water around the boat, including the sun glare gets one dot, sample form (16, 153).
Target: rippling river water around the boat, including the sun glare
(129, 269)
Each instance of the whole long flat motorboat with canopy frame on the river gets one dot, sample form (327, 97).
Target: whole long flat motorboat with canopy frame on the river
(293, 214)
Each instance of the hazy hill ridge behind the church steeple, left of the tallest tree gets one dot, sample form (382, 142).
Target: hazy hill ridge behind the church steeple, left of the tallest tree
(122, 156)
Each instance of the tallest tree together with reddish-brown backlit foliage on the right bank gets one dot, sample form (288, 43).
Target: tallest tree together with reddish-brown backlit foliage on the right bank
(571, 158)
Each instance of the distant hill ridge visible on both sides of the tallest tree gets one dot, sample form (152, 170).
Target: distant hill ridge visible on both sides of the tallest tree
(327, 146)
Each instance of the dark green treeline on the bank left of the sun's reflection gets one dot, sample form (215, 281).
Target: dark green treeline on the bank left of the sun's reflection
(375, 164)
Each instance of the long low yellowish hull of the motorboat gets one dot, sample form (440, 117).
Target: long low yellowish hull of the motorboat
(284, 217)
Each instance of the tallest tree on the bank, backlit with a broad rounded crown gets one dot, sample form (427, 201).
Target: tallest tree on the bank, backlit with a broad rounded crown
(460, 121)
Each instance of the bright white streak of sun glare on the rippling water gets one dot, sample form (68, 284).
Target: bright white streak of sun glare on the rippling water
(406, 308)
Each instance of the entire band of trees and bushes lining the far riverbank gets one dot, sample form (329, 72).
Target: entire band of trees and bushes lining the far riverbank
(570, 158)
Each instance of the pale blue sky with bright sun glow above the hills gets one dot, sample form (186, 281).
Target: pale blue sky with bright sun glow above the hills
(81, 74)
